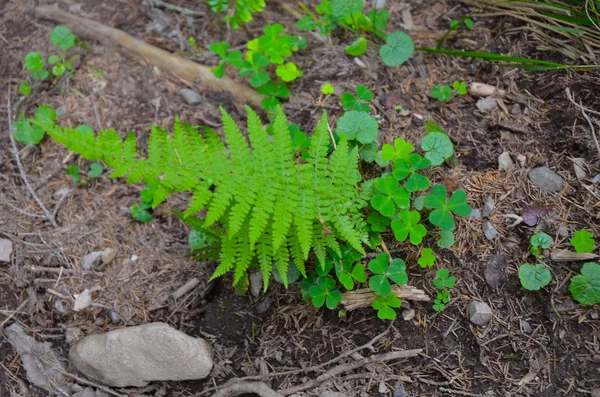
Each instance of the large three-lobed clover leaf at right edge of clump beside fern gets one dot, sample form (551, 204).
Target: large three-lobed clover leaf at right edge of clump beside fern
(441, 216)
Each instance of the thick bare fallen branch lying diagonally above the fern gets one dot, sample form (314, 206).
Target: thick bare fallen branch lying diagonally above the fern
(186, 70)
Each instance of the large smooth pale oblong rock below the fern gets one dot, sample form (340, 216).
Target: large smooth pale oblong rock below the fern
(135, 356)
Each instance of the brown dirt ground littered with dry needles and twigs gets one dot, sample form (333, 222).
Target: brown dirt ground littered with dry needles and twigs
(537, 344)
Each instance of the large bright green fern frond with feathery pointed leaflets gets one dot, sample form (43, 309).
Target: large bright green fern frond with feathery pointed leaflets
(269, 206)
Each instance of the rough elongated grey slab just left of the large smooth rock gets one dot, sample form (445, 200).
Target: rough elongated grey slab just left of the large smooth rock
(41, 363)
